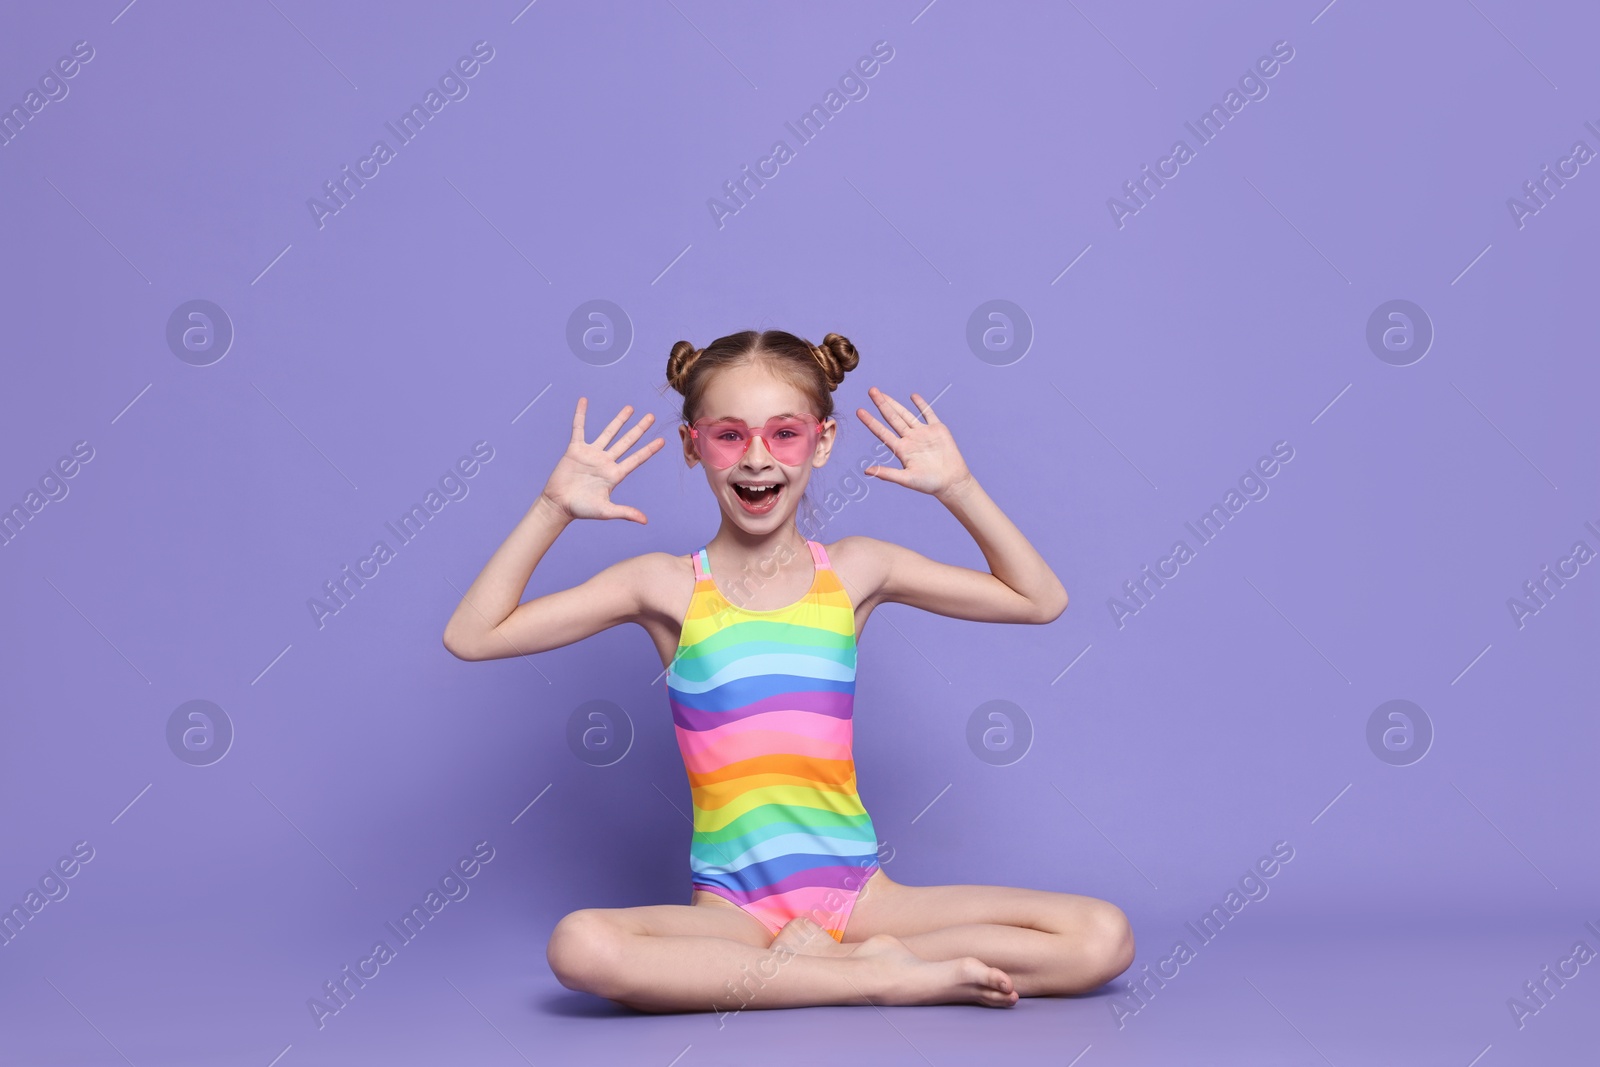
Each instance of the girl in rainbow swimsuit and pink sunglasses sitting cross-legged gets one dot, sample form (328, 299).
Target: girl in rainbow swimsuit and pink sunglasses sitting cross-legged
(758, 631)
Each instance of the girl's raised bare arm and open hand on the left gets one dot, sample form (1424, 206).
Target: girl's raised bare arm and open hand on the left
(490, 625)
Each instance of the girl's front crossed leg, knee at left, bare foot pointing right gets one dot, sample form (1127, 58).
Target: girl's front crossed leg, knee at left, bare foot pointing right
(714, 957)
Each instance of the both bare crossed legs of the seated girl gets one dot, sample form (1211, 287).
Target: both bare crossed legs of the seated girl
(902, 946)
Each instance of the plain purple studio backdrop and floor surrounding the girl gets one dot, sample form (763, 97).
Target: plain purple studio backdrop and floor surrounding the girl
(433, 311)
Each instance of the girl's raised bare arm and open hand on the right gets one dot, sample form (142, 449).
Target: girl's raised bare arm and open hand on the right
(1020, 585)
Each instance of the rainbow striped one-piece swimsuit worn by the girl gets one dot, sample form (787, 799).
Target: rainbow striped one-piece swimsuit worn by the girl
(762, 706)
